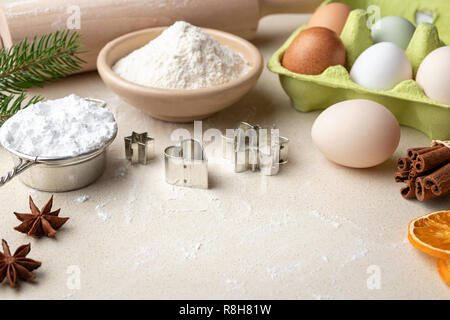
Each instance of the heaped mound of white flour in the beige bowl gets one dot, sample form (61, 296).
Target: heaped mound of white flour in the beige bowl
(182, 57)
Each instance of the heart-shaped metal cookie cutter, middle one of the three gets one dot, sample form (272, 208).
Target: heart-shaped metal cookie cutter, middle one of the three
(186, 165)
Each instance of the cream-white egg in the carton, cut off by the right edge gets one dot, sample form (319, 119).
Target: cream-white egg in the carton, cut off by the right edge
(434, 75)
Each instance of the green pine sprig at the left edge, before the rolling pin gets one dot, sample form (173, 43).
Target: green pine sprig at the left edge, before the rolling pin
(33, 63)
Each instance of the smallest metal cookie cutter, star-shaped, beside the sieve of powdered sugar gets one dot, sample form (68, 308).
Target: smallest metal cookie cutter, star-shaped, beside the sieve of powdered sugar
(139, 148)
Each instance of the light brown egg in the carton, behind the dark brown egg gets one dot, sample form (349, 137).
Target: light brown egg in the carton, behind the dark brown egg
(332, 16)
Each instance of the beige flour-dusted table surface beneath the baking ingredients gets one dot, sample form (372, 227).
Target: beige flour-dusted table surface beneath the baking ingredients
(315, 231)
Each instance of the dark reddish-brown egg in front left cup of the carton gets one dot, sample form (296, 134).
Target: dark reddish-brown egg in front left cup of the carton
(313, 51)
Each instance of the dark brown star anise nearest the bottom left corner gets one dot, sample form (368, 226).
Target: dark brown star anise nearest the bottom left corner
(17, 266)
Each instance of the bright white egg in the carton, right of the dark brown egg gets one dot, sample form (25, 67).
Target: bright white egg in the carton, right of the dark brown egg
(381, 67)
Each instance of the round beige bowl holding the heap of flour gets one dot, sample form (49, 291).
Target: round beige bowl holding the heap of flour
(177, 105)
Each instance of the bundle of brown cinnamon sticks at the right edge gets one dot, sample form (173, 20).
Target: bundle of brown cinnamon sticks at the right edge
(426, 172)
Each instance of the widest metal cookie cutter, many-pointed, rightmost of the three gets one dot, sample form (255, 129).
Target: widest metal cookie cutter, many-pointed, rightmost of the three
(255, 148)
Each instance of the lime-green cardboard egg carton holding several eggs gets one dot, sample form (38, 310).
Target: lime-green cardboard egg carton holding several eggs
(407, 101)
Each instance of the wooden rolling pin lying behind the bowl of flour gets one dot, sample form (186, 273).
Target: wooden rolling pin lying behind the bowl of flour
(100, 21)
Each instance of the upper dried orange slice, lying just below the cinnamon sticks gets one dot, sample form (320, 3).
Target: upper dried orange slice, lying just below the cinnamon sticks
(431, 234)
